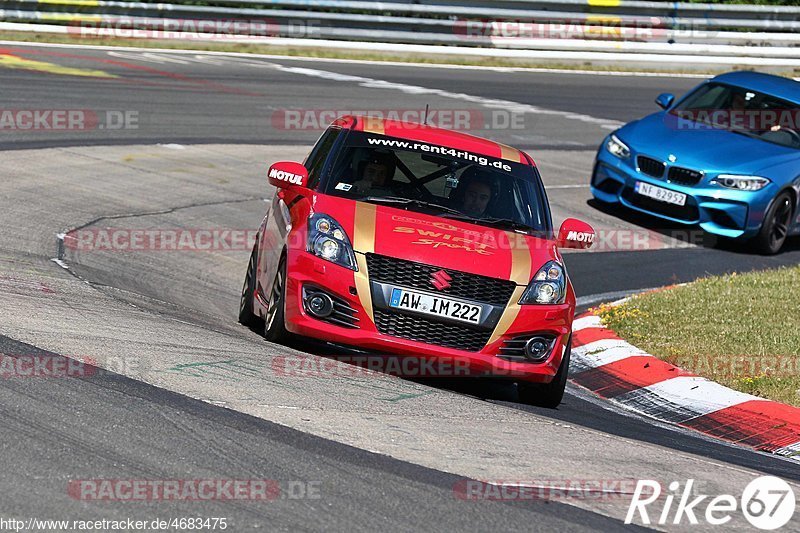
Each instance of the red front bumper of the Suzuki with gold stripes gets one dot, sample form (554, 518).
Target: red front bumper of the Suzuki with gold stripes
(306, 272)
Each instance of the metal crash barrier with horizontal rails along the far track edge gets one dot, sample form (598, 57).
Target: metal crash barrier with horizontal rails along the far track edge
(548, 29)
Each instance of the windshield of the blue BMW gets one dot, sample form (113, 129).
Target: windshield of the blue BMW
(742, 111)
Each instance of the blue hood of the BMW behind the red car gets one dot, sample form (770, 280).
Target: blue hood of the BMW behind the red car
(712, 150)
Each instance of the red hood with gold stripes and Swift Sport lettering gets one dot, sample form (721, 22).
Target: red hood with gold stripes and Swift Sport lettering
(437, 241)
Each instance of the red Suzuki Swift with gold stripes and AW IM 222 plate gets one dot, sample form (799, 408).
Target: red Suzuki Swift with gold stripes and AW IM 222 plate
(415, 241)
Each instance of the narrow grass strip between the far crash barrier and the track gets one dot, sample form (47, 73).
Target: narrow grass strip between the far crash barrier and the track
(341, 54)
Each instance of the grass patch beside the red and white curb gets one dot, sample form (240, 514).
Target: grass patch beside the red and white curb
(741, 330)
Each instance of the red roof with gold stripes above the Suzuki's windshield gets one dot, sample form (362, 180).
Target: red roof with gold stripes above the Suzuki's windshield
(422, 133)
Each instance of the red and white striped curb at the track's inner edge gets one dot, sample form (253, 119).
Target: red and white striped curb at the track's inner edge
(622, 373)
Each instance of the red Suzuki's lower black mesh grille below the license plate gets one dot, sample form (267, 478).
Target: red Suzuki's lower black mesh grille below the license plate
(430, 332)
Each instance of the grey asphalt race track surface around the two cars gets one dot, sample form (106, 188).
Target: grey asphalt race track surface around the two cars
(123, 425)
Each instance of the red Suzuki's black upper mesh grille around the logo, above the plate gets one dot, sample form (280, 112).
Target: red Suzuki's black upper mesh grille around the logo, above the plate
(418, 276)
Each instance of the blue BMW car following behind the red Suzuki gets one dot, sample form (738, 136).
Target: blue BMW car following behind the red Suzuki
(725, 157)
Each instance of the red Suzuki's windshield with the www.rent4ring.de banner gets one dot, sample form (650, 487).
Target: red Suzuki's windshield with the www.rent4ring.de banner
(439, 180)
